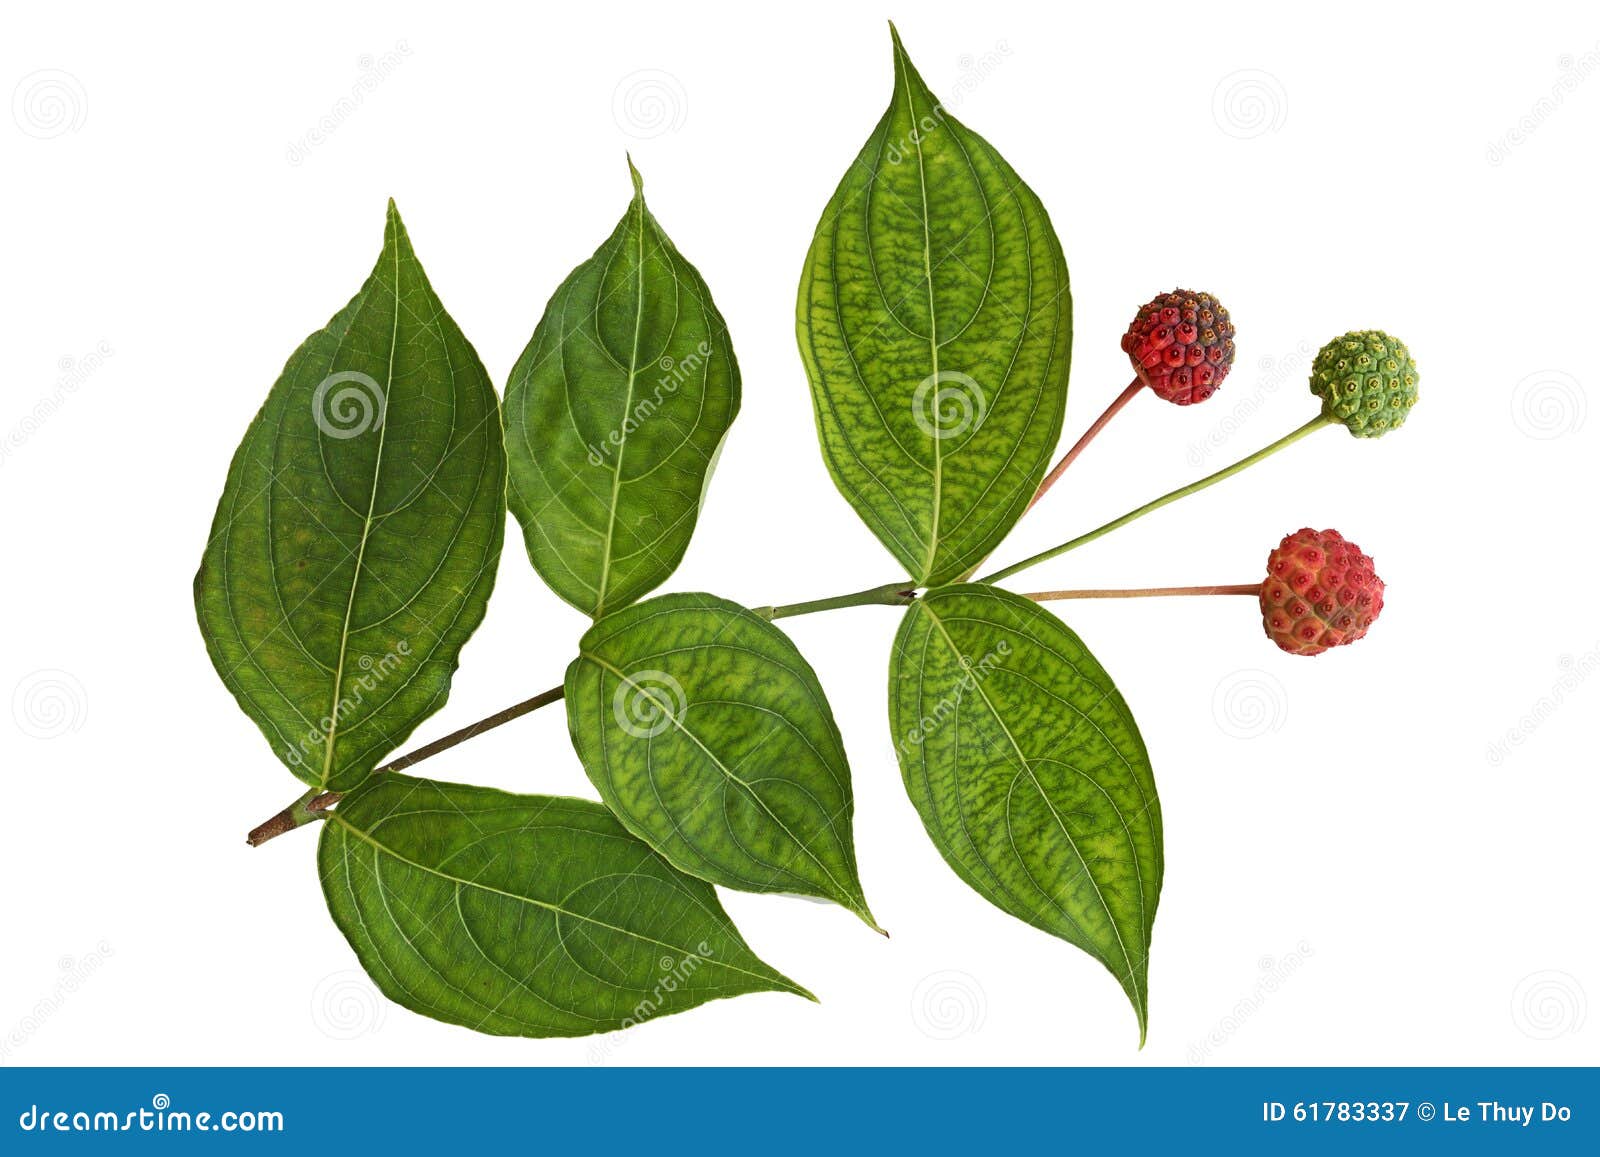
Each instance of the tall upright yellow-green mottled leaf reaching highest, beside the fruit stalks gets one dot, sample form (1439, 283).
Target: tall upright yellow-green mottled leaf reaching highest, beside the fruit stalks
(937, 324)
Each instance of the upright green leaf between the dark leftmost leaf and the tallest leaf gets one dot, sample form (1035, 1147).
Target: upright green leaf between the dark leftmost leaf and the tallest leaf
(615, 415)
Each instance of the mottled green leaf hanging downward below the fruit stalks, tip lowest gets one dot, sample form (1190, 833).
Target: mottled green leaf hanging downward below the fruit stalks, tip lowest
(1030, 774)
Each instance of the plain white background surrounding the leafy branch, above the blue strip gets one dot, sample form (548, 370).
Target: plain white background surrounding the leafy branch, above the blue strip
(1351, 875)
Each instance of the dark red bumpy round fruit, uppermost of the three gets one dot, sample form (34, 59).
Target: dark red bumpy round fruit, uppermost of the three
(1182, 346)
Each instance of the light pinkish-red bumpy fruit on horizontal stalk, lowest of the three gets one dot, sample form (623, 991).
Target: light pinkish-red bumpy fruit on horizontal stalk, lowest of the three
(1321, 593)
